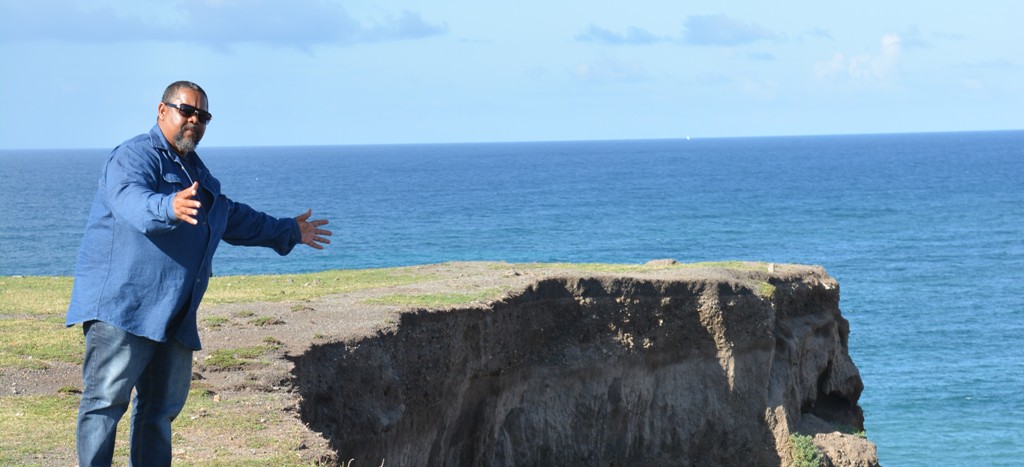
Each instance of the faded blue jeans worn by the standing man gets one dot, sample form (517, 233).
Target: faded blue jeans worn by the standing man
(116, 362)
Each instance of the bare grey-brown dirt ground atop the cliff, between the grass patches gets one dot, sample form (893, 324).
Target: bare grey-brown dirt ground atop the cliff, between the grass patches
(264, 386)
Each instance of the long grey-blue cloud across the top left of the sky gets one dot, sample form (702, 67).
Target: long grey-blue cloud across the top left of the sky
(216, 23)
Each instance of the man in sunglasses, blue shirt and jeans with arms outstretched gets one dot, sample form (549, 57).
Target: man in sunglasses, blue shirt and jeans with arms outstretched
(144, 267)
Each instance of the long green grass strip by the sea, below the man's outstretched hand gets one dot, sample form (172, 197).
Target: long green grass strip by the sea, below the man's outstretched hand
(241, 289)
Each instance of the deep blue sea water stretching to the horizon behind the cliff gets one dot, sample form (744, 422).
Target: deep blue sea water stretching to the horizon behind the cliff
(925, 234)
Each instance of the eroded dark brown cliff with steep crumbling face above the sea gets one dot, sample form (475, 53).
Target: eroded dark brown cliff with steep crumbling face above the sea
(666, 365)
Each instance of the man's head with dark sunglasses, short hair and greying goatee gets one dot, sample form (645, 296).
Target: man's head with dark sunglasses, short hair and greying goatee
(183, 116)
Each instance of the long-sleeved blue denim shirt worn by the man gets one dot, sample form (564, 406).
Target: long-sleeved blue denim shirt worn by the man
(140, 268)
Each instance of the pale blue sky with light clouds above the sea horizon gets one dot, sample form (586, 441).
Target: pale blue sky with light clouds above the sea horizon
(80, 74)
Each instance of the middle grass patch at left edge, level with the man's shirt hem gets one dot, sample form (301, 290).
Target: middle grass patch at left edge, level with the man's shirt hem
(35, 344)
